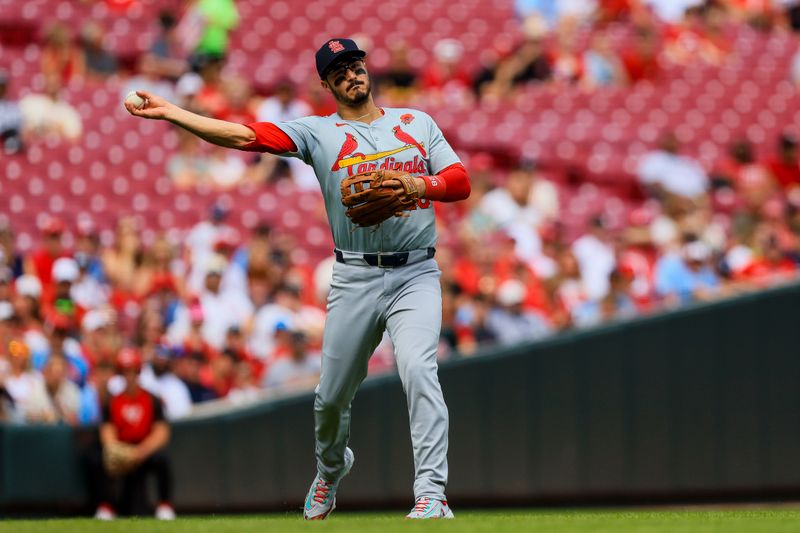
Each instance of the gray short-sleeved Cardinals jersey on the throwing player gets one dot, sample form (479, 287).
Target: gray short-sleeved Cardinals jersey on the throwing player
(402, 139)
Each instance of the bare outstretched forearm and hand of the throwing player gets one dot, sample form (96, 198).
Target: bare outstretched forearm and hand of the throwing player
(219, 132)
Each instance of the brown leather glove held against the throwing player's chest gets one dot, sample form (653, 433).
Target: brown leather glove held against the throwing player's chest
(372, 197)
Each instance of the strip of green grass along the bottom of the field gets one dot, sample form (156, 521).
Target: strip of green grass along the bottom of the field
(466, 521)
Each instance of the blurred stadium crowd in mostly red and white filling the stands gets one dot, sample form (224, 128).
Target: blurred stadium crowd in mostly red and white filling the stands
(227, 313)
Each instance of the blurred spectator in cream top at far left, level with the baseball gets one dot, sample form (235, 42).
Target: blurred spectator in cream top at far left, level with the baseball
(48, 114)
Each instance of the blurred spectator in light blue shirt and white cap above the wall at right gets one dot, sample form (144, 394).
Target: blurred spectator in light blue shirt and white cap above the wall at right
(685, 277)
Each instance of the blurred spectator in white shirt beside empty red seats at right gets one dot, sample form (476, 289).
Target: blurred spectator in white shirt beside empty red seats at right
(663, 172)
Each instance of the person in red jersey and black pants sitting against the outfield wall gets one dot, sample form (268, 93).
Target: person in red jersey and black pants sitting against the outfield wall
(134, 417)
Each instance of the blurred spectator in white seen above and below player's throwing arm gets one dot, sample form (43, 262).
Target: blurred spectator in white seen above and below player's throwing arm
(285, 105)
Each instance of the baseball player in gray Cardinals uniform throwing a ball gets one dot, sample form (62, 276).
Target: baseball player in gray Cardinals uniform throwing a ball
(385, 277)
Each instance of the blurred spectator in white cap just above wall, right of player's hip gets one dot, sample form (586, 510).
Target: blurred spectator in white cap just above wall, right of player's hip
(509, 321)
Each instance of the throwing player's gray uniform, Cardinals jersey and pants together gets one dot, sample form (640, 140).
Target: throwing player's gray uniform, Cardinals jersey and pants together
(366, 299)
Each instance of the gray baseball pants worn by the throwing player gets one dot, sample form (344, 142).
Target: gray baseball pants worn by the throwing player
(363, 302)
